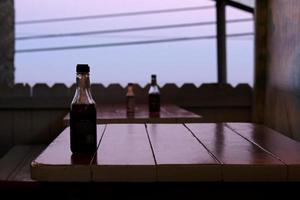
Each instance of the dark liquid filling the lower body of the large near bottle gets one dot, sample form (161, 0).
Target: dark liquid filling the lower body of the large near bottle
(83, 127)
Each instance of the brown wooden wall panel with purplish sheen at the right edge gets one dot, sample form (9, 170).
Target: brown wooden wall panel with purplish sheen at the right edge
(282, 103)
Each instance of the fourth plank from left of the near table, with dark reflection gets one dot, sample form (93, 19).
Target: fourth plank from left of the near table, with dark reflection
(242, 160)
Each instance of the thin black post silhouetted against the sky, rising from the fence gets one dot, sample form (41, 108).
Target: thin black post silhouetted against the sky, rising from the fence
(221, 41)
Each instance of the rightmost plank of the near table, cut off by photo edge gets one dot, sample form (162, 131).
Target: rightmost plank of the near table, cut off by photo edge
(284, 148)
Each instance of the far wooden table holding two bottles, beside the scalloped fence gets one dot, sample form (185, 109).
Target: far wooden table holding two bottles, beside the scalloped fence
(109, 114)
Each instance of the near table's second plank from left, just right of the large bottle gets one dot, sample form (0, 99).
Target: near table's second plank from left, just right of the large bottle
(124, 154)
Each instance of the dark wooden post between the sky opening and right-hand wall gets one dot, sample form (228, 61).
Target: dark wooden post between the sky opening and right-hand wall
(261, 59)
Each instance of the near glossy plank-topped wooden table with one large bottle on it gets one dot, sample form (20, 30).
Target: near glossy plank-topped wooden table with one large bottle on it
(174, 152)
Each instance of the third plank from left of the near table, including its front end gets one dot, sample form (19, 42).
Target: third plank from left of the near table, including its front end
(179, 156)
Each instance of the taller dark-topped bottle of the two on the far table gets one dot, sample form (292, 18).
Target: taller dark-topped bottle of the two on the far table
(154, 98)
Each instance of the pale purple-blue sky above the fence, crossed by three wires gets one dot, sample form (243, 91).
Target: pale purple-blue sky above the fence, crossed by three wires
(181, 62)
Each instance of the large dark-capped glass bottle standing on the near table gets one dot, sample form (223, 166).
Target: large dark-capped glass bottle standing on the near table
(83, 127)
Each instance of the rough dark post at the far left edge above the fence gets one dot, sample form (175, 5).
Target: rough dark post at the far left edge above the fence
(7, 42)
